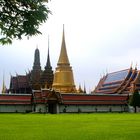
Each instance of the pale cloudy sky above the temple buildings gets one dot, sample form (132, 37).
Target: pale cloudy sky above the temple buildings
(101, 36)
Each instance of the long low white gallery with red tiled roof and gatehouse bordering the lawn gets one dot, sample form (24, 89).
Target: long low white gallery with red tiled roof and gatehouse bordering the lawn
(49, 101)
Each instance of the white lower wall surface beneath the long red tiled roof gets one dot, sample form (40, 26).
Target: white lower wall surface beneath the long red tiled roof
(43, 108)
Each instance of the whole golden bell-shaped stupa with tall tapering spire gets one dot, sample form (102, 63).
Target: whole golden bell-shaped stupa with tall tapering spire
(63, 76)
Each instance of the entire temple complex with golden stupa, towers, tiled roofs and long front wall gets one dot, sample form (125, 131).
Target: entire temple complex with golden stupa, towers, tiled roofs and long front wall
(44, 92)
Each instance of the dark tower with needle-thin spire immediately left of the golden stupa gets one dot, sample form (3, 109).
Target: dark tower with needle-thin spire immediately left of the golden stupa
(47, 74)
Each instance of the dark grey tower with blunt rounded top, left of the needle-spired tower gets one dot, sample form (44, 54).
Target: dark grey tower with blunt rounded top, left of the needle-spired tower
(36, 71)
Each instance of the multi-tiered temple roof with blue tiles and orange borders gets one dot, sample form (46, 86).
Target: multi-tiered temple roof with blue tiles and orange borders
(120, 82)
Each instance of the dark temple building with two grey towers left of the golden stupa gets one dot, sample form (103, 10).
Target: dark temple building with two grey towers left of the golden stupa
(34, 79)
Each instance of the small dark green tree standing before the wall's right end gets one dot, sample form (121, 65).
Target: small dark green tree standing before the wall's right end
(135, 100)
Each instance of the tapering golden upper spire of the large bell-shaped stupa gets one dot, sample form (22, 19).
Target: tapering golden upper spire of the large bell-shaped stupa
(63, 58)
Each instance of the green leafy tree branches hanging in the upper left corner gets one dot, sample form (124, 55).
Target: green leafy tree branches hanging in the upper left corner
(21, 18)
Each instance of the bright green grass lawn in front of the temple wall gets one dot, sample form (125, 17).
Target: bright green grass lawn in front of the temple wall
(70, 126)
